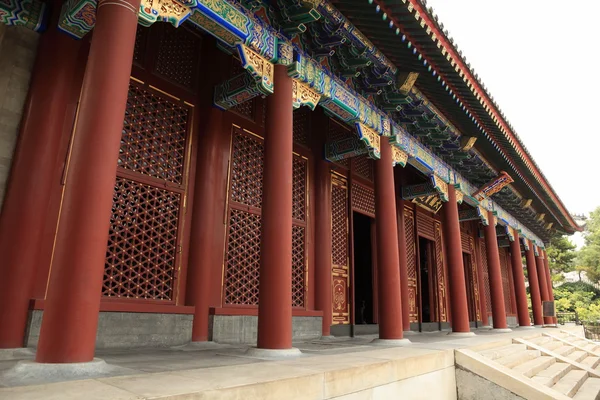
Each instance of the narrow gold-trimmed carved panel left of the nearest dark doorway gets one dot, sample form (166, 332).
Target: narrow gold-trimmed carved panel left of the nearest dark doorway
(339, 247)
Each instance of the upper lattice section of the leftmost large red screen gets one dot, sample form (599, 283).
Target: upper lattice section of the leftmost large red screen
(154, 136)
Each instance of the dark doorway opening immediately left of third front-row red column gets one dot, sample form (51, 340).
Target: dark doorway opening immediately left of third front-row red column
(364, 304)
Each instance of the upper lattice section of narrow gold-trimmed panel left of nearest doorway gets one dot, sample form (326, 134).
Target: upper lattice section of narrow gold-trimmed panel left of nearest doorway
(339, 224)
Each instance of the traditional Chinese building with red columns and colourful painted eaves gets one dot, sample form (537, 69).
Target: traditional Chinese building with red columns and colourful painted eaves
(257, 171)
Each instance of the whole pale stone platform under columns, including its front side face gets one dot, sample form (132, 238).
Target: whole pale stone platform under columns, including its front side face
(340, 368)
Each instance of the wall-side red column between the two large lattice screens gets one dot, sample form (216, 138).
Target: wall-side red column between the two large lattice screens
(202, 255)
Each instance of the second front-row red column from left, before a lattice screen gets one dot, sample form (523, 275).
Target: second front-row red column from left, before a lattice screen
(275, 296)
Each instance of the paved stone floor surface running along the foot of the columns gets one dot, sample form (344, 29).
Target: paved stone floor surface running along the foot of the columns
(218, 365)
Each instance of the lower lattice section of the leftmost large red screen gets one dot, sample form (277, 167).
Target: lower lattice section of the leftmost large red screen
(142, 245)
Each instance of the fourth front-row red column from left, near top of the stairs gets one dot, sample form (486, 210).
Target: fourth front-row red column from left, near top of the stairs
(456, 271)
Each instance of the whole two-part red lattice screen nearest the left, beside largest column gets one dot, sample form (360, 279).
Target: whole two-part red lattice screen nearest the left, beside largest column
(142, 255)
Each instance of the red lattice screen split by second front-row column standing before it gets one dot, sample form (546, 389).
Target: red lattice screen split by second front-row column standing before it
(242, 259)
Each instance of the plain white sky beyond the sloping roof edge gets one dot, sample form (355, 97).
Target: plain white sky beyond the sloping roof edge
(538, 60)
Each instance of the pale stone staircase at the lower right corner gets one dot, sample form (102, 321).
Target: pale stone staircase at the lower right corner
(566, 364)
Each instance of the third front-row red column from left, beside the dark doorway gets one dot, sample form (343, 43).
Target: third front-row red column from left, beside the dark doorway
(389, 301)
